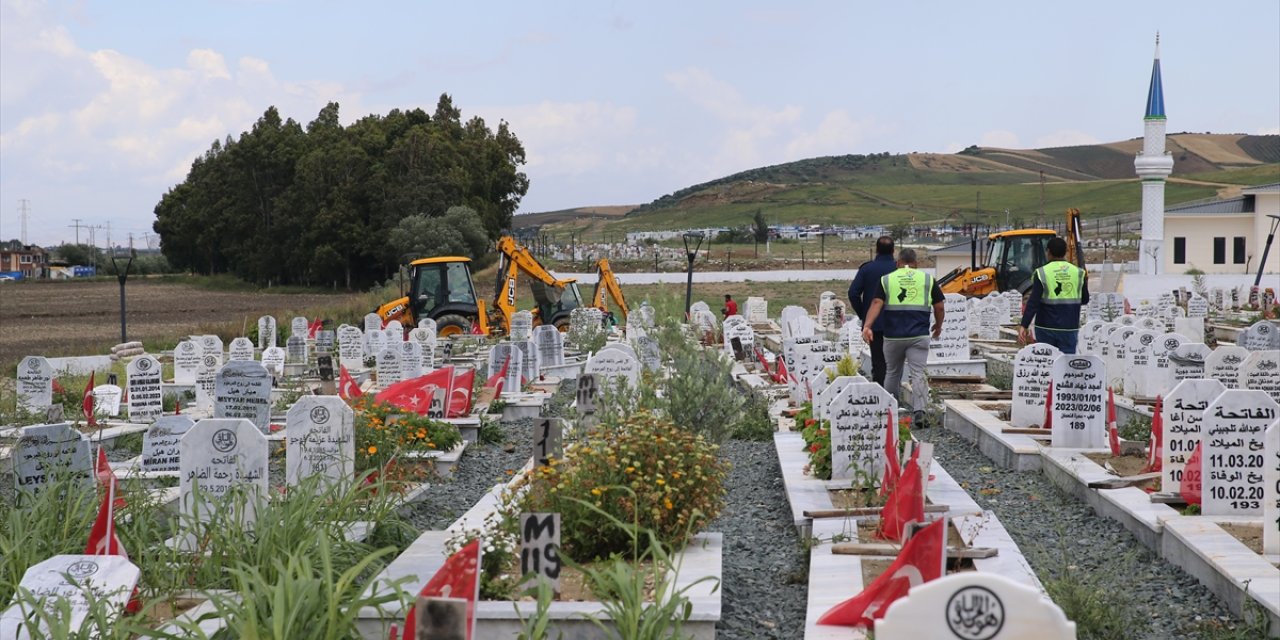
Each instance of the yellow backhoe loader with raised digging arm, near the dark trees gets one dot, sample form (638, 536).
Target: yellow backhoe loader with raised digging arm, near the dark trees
(441, 289)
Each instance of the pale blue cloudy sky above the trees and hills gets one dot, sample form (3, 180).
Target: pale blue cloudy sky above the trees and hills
(106, 104)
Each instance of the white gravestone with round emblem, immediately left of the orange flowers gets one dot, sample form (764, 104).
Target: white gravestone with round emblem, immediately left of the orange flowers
(322, 441)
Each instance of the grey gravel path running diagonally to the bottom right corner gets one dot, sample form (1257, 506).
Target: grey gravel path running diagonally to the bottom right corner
(1062, 536)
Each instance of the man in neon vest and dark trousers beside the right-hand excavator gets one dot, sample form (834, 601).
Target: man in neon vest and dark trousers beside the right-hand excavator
(1058, 292)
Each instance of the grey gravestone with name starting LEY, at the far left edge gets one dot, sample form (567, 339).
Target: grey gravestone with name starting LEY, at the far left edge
(45, 452)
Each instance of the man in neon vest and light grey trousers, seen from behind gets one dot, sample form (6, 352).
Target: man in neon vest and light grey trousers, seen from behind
(904, 298)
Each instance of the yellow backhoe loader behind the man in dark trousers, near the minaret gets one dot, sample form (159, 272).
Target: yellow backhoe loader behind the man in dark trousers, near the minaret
(1011, 259)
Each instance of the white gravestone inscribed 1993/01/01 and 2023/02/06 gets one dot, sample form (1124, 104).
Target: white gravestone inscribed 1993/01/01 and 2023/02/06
(1080, 403)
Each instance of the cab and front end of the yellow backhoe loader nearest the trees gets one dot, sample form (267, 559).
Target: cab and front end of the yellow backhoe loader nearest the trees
(440, 289)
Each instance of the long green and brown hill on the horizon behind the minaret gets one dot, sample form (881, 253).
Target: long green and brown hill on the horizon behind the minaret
(977, 184)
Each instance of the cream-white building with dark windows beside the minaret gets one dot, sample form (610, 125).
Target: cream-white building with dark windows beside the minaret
(1224, 236)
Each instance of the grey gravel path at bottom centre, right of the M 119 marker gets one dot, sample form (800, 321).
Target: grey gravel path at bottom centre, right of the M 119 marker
(766, 569)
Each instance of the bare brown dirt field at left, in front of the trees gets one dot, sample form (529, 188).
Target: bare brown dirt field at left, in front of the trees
(84, 318)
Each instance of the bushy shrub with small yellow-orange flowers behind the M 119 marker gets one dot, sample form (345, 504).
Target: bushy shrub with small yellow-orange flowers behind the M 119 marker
(675, 481)
